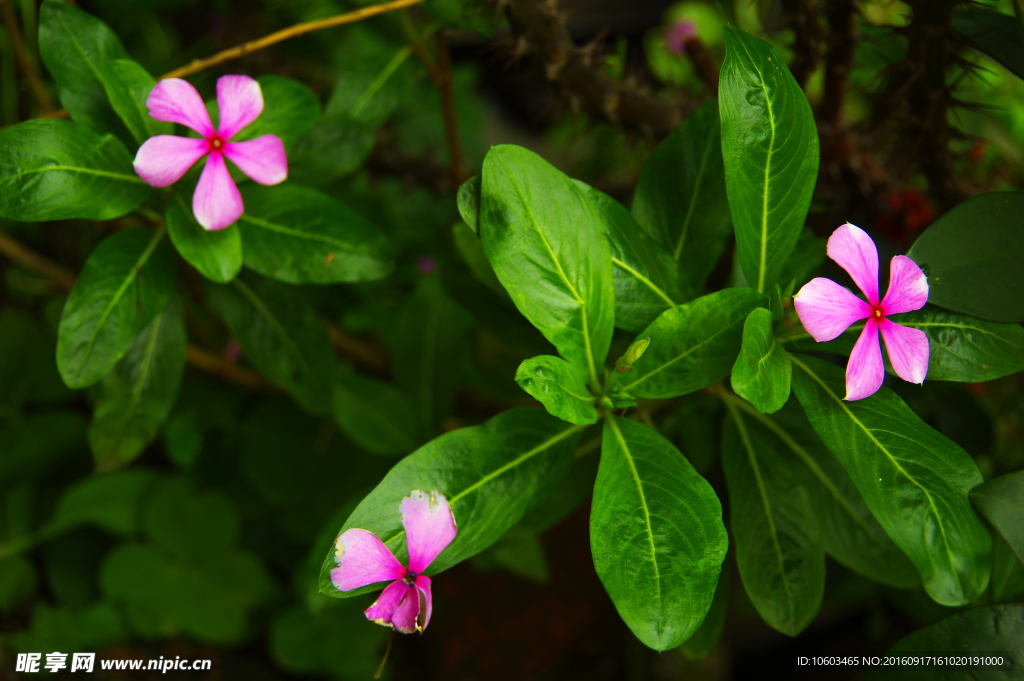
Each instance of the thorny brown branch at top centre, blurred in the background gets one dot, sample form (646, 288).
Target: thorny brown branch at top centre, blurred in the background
(541, 33)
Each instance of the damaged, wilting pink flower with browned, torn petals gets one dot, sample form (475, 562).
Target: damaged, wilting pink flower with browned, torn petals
(363, 560)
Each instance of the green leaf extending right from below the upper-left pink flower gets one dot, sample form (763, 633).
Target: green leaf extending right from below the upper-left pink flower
(301, 236)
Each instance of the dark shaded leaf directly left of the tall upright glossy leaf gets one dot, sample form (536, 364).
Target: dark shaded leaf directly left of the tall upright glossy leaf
(680, 198)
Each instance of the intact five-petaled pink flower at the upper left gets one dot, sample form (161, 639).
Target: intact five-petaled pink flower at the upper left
(164, 159)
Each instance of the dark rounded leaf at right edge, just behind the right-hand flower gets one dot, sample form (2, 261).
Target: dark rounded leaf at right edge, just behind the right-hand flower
(972, 257)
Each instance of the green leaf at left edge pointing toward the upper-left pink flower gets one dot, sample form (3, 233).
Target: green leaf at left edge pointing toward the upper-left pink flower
(55, 171)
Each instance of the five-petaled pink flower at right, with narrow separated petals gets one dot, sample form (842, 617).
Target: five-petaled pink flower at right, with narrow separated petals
(827, 310)
